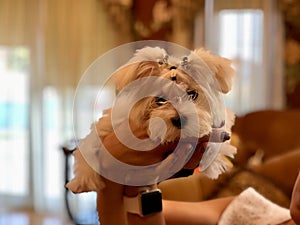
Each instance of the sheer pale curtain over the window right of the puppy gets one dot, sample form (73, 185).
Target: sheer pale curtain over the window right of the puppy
(251, 34)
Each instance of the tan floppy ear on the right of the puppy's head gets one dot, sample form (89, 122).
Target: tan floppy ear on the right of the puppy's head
(220, 66)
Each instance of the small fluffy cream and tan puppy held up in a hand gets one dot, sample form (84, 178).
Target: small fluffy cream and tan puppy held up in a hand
(171, 99)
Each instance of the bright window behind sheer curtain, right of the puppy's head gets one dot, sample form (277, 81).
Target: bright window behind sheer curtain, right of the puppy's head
(241, 39)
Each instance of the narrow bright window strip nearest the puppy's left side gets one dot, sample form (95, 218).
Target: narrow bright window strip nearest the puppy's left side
(53, 129)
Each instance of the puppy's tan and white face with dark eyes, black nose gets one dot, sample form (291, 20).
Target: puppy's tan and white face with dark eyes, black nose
(178, 109)
